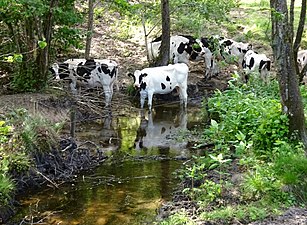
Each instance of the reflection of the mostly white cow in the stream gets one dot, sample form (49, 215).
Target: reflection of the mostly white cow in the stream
(161, 129)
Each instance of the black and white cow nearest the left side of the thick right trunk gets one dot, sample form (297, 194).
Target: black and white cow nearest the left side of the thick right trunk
(252, 61)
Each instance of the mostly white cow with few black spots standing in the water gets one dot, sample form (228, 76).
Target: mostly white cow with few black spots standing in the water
(161, 80)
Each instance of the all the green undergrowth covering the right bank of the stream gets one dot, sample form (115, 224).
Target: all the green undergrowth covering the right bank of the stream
(255, 168)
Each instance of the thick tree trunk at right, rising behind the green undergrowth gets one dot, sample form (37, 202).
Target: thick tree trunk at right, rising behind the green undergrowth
(283, 49)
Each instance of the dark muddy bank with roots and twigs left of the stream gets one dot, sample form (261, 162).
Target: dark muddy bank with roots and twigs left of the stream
(53, 169)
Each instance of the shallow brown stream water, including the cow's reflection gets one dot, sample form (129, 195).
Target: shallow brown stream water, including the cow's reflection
(128, 191)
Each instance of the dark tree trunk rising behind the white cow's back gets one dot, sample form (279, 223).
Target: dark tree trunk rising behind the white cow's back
(165, 44)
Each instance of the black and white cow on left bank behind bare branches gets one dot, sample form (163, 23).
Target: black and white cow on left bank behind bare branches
(88, 73)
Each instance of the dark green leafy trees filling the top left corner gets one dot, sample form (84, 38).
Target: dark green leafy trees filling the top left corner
(24, 37)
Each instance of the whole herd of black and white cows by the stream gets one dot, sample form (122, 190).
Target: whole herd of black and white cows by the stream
(103, 73)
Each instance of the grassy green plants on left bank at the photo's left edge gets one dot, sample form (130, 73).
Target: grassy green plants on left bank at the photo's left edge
(21, 136)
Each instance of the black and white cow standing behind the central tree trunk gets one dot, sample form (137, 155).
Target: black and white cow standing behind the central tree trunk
(182, 49)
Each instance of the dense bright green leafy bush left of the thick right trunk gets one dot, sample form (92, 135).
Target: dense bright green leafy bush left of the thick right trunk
(247, 113)
